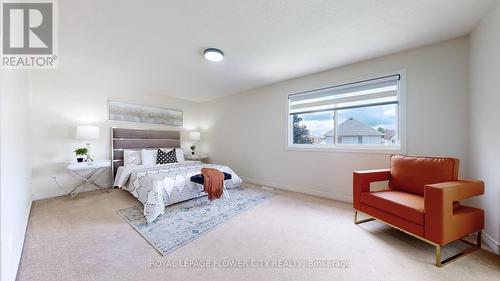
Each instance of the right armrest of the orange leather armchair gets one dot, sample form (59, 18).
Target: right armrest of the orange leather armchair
(440, 225)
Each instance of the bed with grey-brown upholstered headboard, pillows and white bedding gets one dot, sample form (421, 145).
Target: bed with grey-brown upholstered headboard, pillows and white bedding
(156, 185)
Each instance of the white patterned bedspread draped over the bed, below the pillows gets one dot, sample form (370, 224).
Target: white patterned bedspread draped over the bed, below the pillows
(157, 186)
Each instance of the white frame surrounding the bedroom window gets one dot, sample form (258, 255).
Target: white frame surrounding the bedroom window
(385, 149)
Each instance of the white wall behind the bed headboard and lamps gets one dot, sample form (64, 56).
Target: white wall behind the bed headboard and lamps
(61, 101)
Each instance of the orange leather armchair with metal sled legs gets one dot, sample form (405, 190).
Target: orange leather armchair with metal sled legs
(422, 199)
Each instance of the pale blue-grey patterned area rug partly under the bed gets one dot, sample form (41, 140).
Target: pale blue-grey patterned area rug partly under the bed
(188, 220)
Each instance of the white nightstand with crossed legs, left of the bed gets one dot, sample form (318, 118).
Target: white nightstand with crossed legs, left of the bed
(92, 171)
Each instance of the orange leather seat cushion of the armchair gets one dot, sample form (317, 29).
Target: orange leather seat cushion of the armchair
(402, 204)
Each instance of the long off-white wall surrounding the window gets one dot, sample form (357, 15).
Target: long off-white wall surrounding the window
(248, 131)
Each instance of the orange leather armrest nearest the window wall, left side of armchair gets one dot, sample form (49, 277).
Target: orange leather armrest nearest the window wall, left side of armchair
(362, 180)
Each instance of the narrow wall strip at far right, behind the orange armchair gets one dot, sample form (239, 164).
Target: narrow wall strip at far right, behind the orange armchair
(484, 119)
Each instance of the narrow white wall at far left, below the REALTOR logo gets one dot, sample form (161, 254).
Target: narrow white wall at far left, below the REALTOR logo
(15, 169)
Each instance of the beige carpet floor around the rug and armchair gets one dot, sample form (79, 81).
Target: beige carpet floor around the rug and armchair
(85, 239)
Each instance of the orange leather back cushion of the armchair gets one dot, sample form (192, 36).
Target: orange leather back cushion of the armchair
(412, 173)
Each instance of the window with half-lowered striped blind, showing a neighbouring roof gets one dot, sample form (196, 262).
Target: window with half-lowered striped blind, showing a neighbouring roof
(361, 115)
